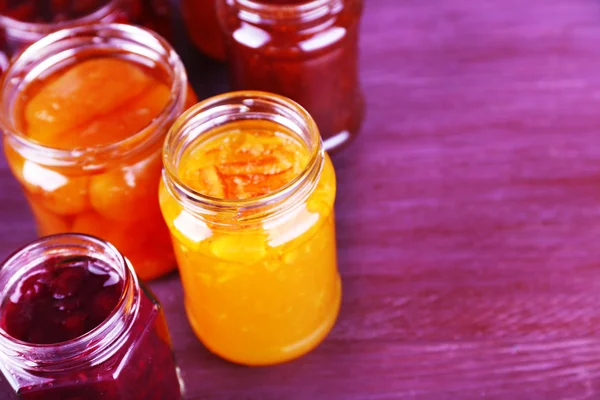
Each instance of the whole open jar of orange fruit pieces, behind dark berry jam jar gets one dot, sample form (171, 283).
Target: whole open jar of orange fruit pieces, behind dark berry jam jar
(84, 113)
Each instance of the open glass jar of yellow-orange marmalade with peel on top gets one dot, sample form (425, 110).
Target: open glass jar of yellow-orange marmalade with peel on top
(248, 194)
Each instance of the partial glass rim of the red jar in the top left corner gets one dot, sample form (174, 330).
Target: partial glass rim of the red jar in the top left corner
(47, 27)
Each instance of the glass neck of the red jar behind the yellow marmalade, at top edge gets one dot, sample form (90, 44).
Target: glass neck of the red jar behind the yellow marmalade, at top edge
(302, 13)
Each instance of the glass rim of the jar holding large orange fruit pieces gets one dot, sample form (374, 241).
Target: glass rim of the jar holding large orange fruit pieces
(42, 50)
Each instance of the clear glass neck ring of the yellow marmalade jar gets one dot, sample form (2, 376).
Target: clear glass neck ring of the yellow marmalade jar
(196, 126)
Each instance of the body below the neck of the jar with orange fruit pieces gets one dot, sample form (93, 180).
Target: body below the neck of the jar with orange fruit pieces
(117, 203)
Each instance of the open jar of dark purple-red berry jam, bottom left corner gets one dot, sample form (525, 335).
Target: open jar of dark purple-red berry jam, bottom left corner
(76, 324)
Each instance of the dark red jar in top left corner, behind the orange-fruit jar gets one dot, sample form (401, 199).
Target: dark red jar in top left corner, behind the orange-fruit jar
(24, 22)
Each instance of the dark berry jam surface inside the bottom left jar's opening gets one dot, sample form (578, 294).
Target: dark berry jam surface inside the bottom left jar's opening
(62, 299)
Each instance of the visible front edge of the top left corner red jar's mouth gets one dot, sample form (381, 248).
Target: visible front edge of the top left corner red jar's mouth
(32, 30)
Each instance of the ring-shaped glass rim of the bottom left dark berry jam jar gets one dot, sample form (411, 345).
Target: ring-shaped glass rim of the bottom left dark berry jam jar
(103, 339)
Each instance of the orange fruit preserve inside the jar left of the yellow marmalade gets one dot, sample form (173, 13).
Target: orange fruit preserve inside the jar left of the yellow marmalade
(89, 105)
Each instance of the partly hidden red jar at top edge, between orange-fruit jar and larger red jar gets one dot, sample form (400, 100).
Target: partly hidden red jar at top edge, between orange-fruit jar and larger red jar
(202, 25)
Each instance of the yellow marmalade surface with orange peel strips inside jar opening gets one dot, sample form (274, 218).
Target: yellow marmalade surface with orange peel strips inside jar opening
(249, 160)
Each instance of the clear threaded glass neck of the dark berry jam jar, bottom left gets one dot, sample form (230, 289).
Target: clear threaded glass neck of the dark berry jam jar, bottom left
(95, 346)
